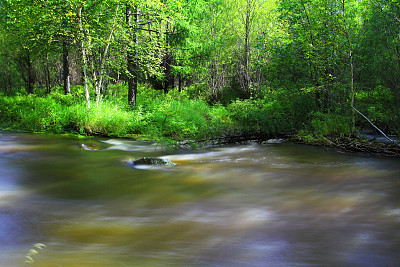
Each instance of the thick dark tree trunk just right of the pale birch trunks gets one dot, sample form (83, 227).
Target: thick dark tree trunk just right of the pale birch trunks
(132, 65)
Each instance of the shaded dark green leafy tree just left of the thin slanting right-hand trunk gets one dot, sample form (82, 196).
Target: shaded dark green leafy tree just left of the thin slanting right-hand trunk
(318, 47)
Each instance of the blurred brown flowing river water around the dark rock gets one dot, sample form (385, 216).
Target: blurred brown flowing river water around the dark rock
(253, 205)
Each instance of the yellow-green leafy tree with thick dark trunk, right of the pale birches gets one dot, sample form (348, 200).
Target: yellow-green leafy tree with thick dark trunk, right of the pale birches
(149, 25)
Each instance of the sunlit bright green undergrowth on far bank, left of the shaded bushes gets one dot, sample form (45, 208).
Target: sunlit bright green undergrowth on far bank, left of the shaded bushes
(157, 117)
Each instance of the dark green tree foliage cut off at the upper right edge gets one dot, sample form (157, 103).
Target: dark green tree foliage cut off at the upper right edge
(380, 44)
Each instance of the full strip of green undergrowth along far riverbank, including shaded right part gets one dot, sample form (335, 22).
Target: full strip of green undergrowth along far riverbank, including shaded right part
(175, 117)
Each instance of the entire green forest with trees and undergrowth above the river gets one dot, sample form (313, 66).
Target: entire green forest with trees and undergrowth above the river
(173, 70)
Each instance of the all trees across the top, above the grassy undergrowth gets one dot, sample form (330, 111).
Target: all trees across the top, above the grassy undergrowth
(335, 55)
